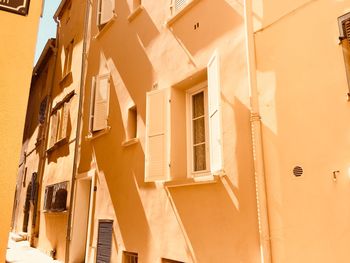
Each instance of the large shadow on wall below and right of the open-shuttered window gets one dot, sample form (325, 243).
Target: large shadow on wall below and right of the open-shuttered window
(220, 218)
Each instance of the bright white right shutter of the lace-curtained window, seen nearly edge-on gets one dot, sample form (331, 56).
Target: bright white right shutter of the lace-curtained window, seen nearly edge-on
(215, 140)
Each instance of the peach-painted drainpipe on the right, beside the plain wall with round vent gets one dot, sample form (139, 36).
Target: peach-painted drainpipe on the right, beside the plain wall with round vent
(260, 184)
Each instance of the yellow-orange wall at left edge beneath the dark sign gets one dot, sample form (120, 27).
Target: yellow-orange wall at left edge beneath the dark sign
(16, 61)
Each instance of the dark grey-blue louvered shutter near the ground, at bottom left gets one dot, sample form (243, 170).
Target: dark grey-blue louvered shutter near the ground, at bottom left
(104, 241)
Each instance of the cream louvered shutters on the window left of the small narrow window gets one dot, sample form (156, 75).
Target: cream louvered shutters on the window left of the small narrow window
(99, 104)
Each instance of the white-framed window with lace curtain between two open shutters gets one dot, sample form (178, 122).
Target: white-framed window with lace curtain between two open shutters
(197, 130)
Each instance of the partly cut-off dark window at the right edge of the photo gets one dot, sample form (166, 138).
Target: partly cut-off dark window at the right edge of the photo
(344, 29)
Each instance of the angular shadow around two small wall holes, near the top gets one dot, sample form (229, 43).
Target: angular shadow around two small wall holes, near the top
(206, 23)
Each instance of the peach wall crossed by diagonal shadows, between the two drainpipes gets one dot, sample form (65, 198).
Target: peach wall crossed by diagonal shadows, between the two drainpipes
(206, 222)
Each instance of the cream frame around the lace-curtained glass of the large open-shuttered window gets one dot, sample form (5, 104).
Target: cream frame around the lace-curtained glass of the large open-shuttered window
(191, 173)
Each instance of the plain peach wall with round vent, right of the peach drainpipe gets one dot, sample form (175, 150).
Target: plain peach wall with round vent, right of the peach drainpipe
(304, 110)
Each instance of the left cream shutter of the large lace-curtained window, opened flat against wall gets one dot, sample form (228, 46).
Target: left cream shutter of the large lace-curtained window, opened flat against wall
(157, 157)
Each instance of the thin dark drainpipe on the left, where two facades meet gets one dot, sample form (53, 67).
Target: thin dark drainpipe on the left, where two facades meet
(78, 130)
